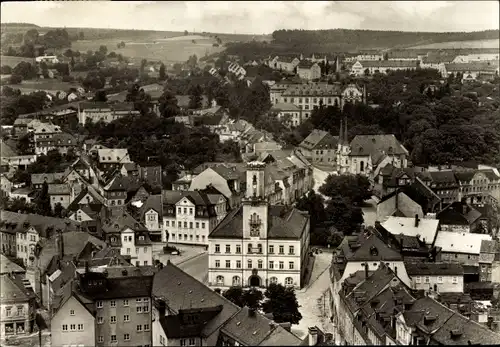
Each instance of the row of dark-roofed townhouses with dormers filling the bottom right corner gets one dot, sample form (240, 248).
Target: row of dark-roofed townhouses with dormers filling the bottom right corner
(378, 309)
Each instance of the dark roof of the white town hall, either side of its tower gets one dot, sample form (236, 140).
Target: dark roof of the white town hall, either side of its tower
(282, 224)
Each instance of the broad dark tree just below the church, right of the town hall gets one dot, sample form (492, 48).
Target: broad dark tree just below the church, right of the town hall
(355, 188)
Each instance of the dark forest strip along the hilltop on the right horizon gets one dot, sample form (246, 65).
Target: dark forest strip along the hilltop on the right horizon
(354, 40)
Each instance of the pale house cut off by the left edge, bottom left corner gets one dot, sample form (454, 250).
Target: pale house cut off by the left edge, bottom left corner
(17, 306)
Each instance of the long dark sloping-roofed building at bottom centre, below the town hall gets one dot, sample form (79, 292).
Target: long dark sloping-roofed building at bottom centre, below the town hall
(212, 319)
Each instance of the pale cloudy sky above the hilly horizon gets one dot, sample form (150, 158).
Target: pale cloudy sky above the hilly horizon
(258, 17)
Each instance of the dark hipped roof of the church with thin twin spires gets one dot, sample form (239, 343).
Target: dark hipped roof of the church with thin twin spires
(374, 145)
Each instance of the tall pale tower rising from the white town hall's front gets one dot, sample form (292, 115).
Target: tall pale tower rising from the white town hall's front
(255, 205)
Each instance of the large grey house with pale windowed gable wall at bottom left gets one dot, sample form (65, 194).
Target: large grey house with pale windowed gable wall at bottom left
(114, 307)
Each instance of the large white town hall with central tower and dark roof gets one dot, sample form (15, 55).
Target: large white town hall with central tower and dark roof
(259, 244)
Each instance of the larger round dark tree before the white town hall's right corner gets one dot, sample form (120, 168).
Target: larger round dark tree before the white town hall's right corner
(282, 303)
